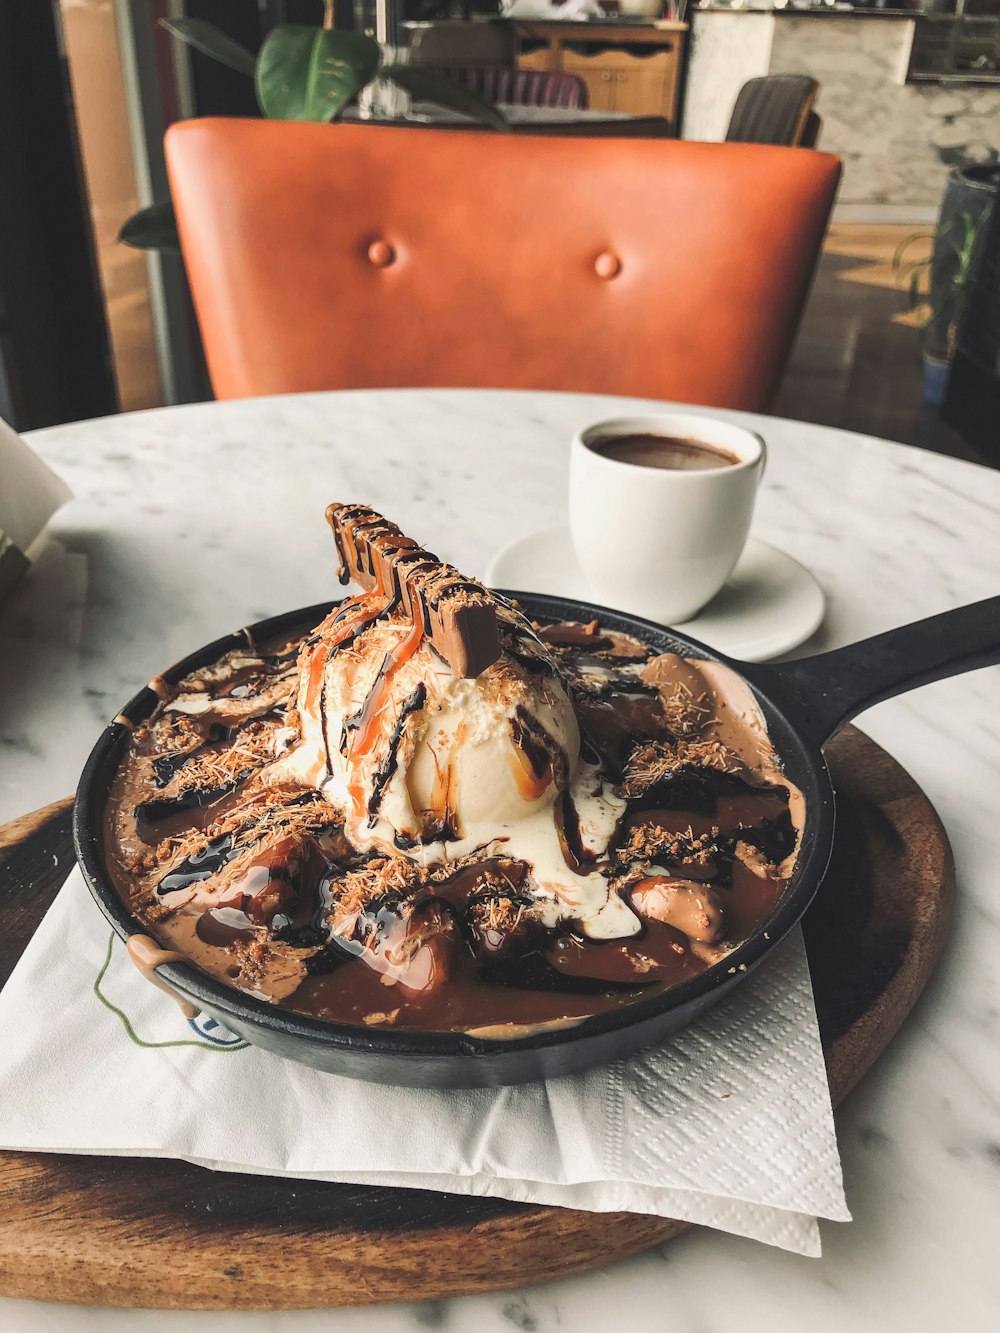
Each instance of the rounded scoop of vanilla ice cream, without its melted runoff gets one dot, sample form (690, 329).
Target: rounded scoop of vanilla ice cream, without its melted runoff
(457, 758)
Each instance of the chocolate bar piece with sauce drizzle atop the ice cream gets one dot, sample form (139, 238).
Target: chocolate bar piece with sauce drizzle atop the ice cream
(458, 615)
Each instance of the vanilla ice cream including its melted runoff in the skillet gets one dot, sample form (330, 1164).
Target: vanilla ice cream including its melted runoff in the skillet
(437, 766)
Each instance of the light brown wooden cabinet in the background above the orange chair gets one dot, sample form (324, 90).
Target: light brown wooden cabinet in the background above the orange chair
(627, 69)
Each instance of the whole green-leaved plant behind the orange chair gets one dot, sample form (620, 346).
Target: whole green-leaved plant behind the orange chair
(303, 74)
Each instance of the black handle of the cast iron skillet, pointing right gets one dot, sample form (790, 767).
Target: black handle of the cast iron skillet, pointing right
(825, 692)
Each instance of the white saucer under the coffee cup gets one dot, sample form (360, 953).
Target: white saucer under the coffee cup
(770, 605)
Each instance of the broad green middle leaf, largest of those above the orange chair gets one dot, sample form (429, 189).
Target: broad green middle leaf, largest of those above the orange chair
(313, 74)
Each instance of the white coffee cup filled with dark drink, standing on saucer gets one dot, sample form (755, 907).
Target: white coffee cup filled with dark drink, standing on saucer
(661, 542)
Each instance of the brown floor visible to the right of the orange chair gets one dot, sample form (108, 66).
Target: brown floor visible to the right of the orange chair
(857, 361)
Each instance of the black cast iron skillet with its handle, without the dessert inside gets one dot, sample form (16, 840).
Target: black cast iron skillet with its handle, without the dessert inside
(805, 703)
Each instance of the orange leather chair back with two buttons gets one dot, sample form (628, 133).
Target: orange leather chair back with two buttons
(361, 257)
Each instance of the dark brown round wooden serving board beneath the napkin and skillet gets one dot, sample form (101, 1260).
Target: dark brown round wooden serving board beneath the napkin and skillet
(166, 1235)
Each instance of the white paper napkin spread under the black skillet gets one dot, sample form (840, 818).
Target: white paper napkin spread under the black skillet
(729, 1124)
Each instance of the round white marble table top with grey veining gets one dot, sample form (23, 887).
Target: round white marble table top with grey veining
(191, 522)
